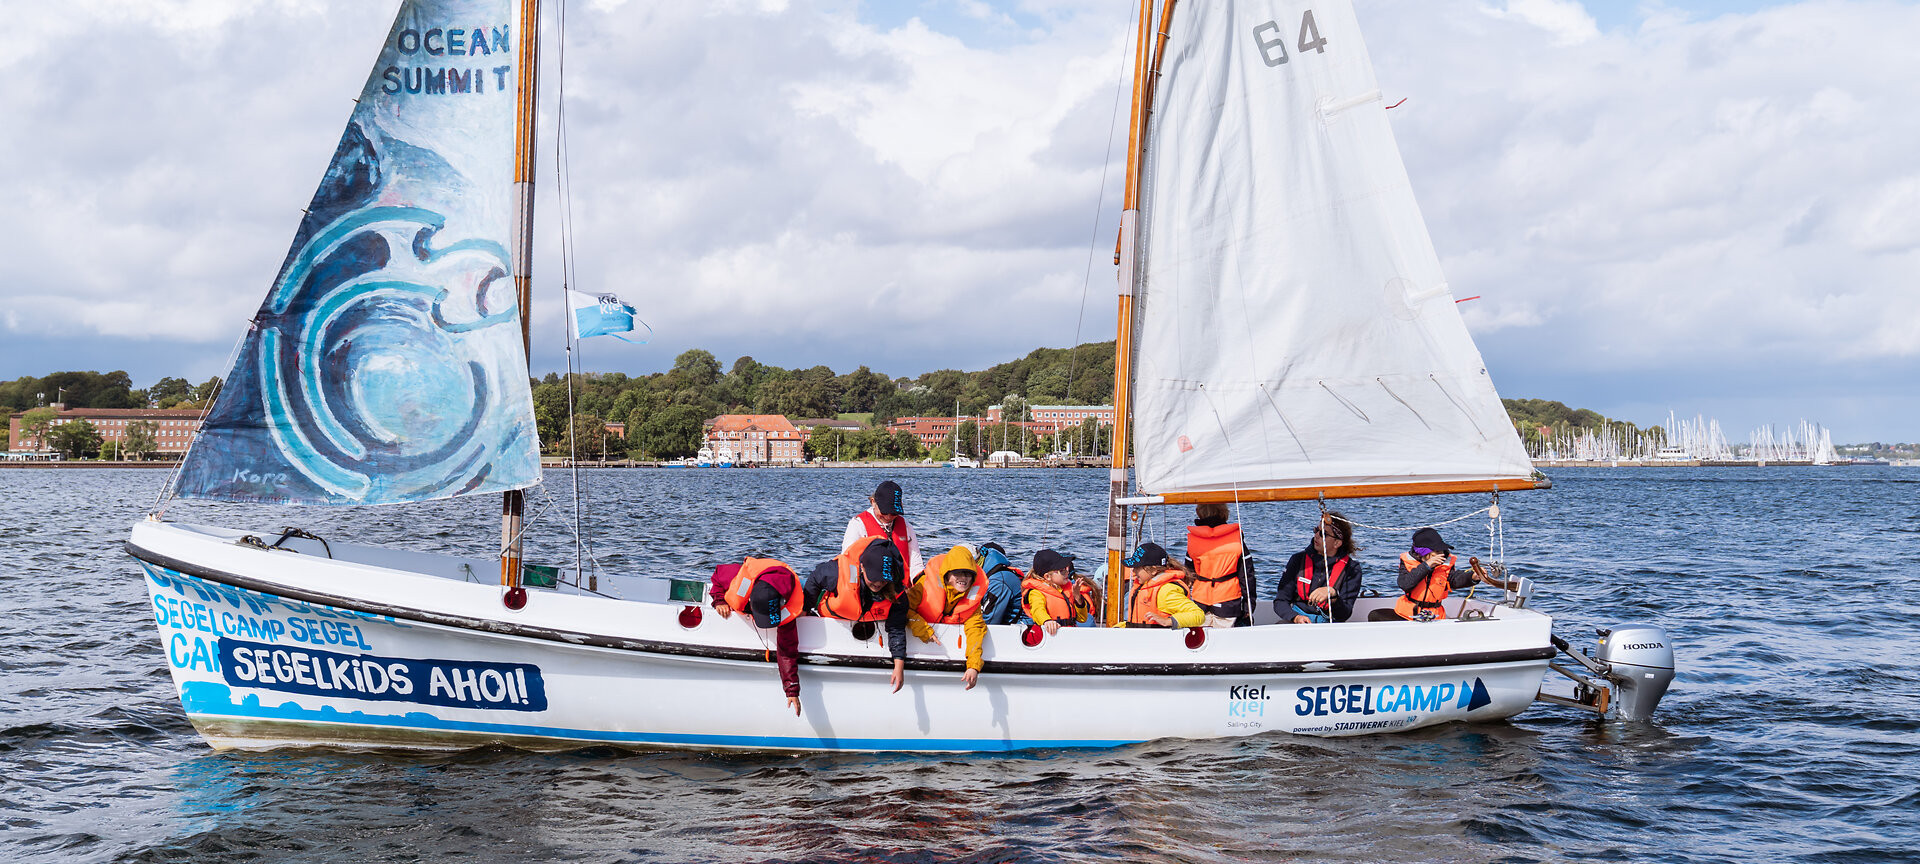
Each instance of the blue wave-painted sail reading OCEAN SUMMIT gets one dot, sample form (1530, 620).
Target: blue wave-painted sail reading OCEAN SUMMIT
(387, 362)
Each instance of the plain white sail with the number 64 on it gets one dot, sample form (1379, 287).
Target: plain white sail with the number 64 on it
(1293, 329)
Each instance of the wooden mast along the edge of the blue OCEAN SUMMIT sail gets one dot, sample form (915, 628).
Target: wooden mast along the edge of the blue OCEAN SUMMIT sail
(514, 504)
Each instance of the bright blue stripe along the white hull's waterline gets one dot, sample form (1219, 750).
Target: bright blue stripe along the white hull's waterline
(204, 700)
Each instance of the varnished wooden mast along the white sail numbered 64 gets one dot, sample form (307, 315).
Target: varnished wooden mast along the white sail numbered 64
(1130, 218)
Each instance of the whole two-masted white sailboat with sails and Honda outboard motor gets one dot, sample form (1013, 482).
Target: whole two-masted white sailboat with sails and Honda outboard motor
(1285, 333)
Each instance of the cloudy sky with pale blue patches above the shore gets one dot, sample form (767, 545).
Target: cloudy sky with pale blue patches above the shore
(1685, 206)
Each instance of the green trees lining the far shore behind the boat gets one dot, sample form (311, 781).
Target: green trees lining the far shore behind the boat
(665, 412)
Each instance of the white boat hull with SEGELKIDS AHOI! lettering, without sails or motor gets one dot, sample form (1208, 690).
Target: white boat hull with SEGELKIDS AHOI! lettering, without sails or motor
(272, 648)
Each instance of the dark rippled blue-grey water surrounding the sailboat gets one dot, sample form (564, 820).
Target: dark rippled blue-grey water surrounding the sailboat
(1788, 736)
